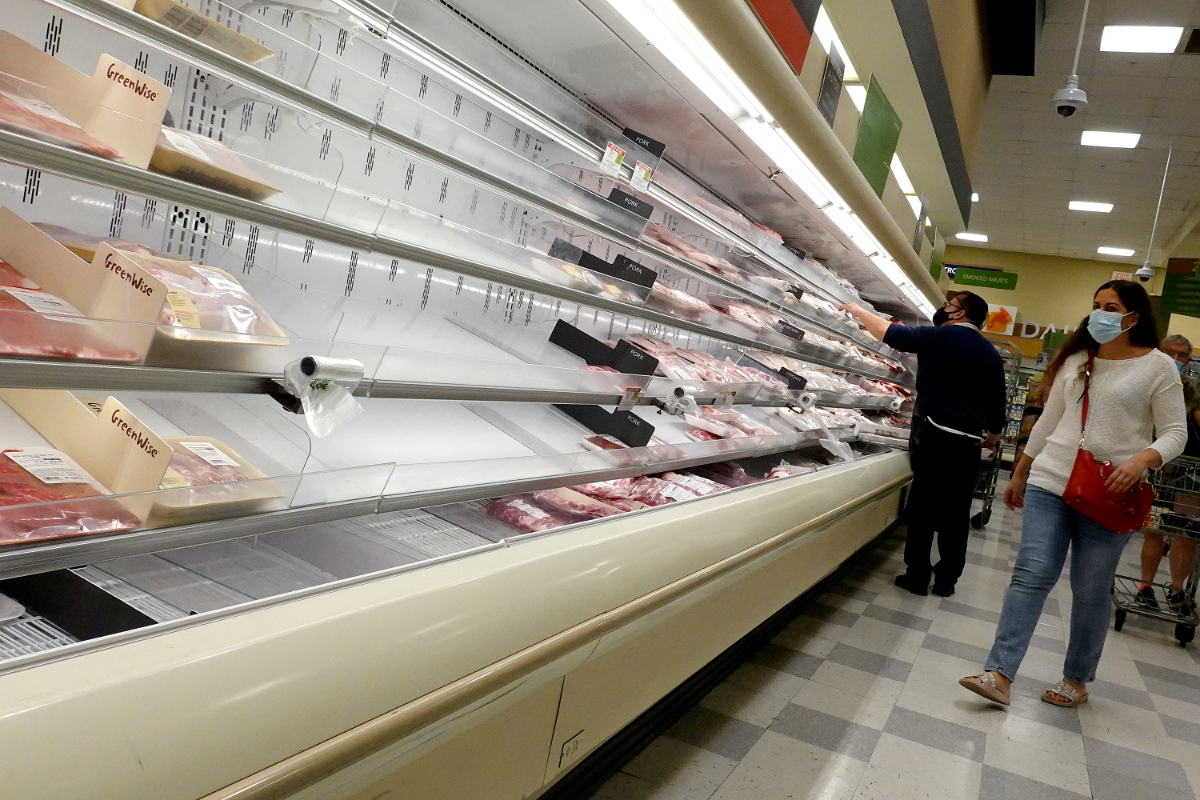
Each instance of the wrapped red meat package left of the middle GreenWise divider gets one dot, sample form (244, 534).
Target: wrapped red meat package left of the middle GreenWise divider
(39, 324)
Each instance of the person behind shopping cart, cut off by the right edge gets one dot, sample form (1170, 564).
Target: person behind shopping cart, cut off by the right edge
(1183, 549)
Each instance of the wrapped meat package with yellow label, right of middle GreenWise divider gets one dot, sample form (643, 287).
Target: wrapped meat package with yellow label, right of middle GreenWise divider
(207, 299)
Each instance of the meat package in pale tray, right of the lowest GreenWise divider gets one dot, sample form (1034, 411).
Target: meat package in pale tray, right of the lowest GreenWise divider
(219, 484)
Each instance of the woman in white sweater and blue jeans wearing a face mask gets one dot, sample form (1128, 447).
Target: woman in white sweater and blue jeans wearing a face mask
(1136, 395)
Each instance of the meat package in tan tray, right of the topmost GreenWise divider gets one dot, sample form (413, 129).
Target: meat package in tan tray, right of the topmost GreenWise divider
(202, 161)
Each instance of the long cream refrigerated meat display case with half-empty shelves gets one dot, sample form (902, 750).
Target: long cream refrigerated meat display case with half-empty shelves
(218, 592)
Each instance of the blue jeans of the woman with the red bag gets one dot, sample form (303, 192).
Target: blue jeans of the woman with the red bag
(1051, 527)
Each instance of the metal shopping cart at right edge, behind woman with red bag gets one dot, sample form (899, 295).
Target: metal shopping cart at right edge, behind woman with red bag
(1175, 515)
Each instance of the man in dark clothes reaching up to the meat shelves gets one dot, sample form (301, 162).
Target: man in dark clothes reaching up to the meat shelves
(961, 407)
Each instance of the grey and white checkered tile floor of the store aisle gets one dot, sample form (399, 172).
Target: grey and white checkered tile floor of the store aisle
(859, 700)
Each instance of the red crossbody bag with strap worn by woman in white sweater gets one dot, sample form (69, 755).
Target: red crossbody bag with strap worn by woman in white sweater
(1123, 514)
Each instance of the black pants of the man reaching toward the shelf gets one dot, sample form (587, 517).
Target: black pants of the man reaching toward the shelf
(945, 471)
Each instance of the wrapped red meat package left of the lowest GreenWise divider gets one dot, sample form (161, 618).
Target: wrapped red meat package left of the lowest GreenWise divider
(47, 496)
